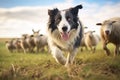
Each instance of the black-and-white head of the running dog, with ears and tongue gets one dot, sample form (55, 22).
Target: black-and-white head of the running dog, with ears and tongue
(64, 20)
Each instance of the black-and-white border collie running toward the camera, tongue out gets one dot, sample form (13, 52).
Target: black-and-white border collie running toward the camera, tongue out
(65, 32)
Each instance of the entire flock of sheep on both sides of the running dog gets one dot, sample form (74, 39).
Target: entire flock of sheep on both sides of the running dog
(110, 33)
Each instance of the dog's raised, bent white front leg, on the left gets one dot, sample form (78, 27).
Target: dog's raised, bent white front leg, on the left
(57, 54)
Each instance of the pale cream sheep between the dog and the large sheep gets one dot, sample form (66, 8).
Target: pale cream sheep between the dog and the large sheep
(90, 40)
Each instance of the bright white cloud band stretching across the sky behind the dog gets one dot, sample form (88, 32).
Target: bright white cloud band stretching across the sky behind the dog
(18, 20)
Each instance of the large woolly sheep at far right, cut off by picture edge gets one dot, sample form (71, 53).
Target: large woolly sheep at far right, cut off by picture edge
(110, 33)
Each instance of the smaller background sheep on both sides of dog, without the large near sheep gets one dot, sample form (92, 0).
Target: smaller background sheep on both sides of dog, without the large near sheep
(36, 42)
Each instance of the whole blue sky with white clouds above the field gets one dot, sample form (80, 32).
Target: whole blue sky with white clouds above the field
(21, 16)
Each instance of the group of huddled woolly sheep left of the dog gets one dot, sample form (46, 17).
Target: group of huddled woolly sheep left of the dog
(27, 43)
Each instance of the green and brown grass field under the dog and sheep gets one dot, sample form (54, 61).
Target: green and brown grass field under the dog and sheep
(42, 66)
